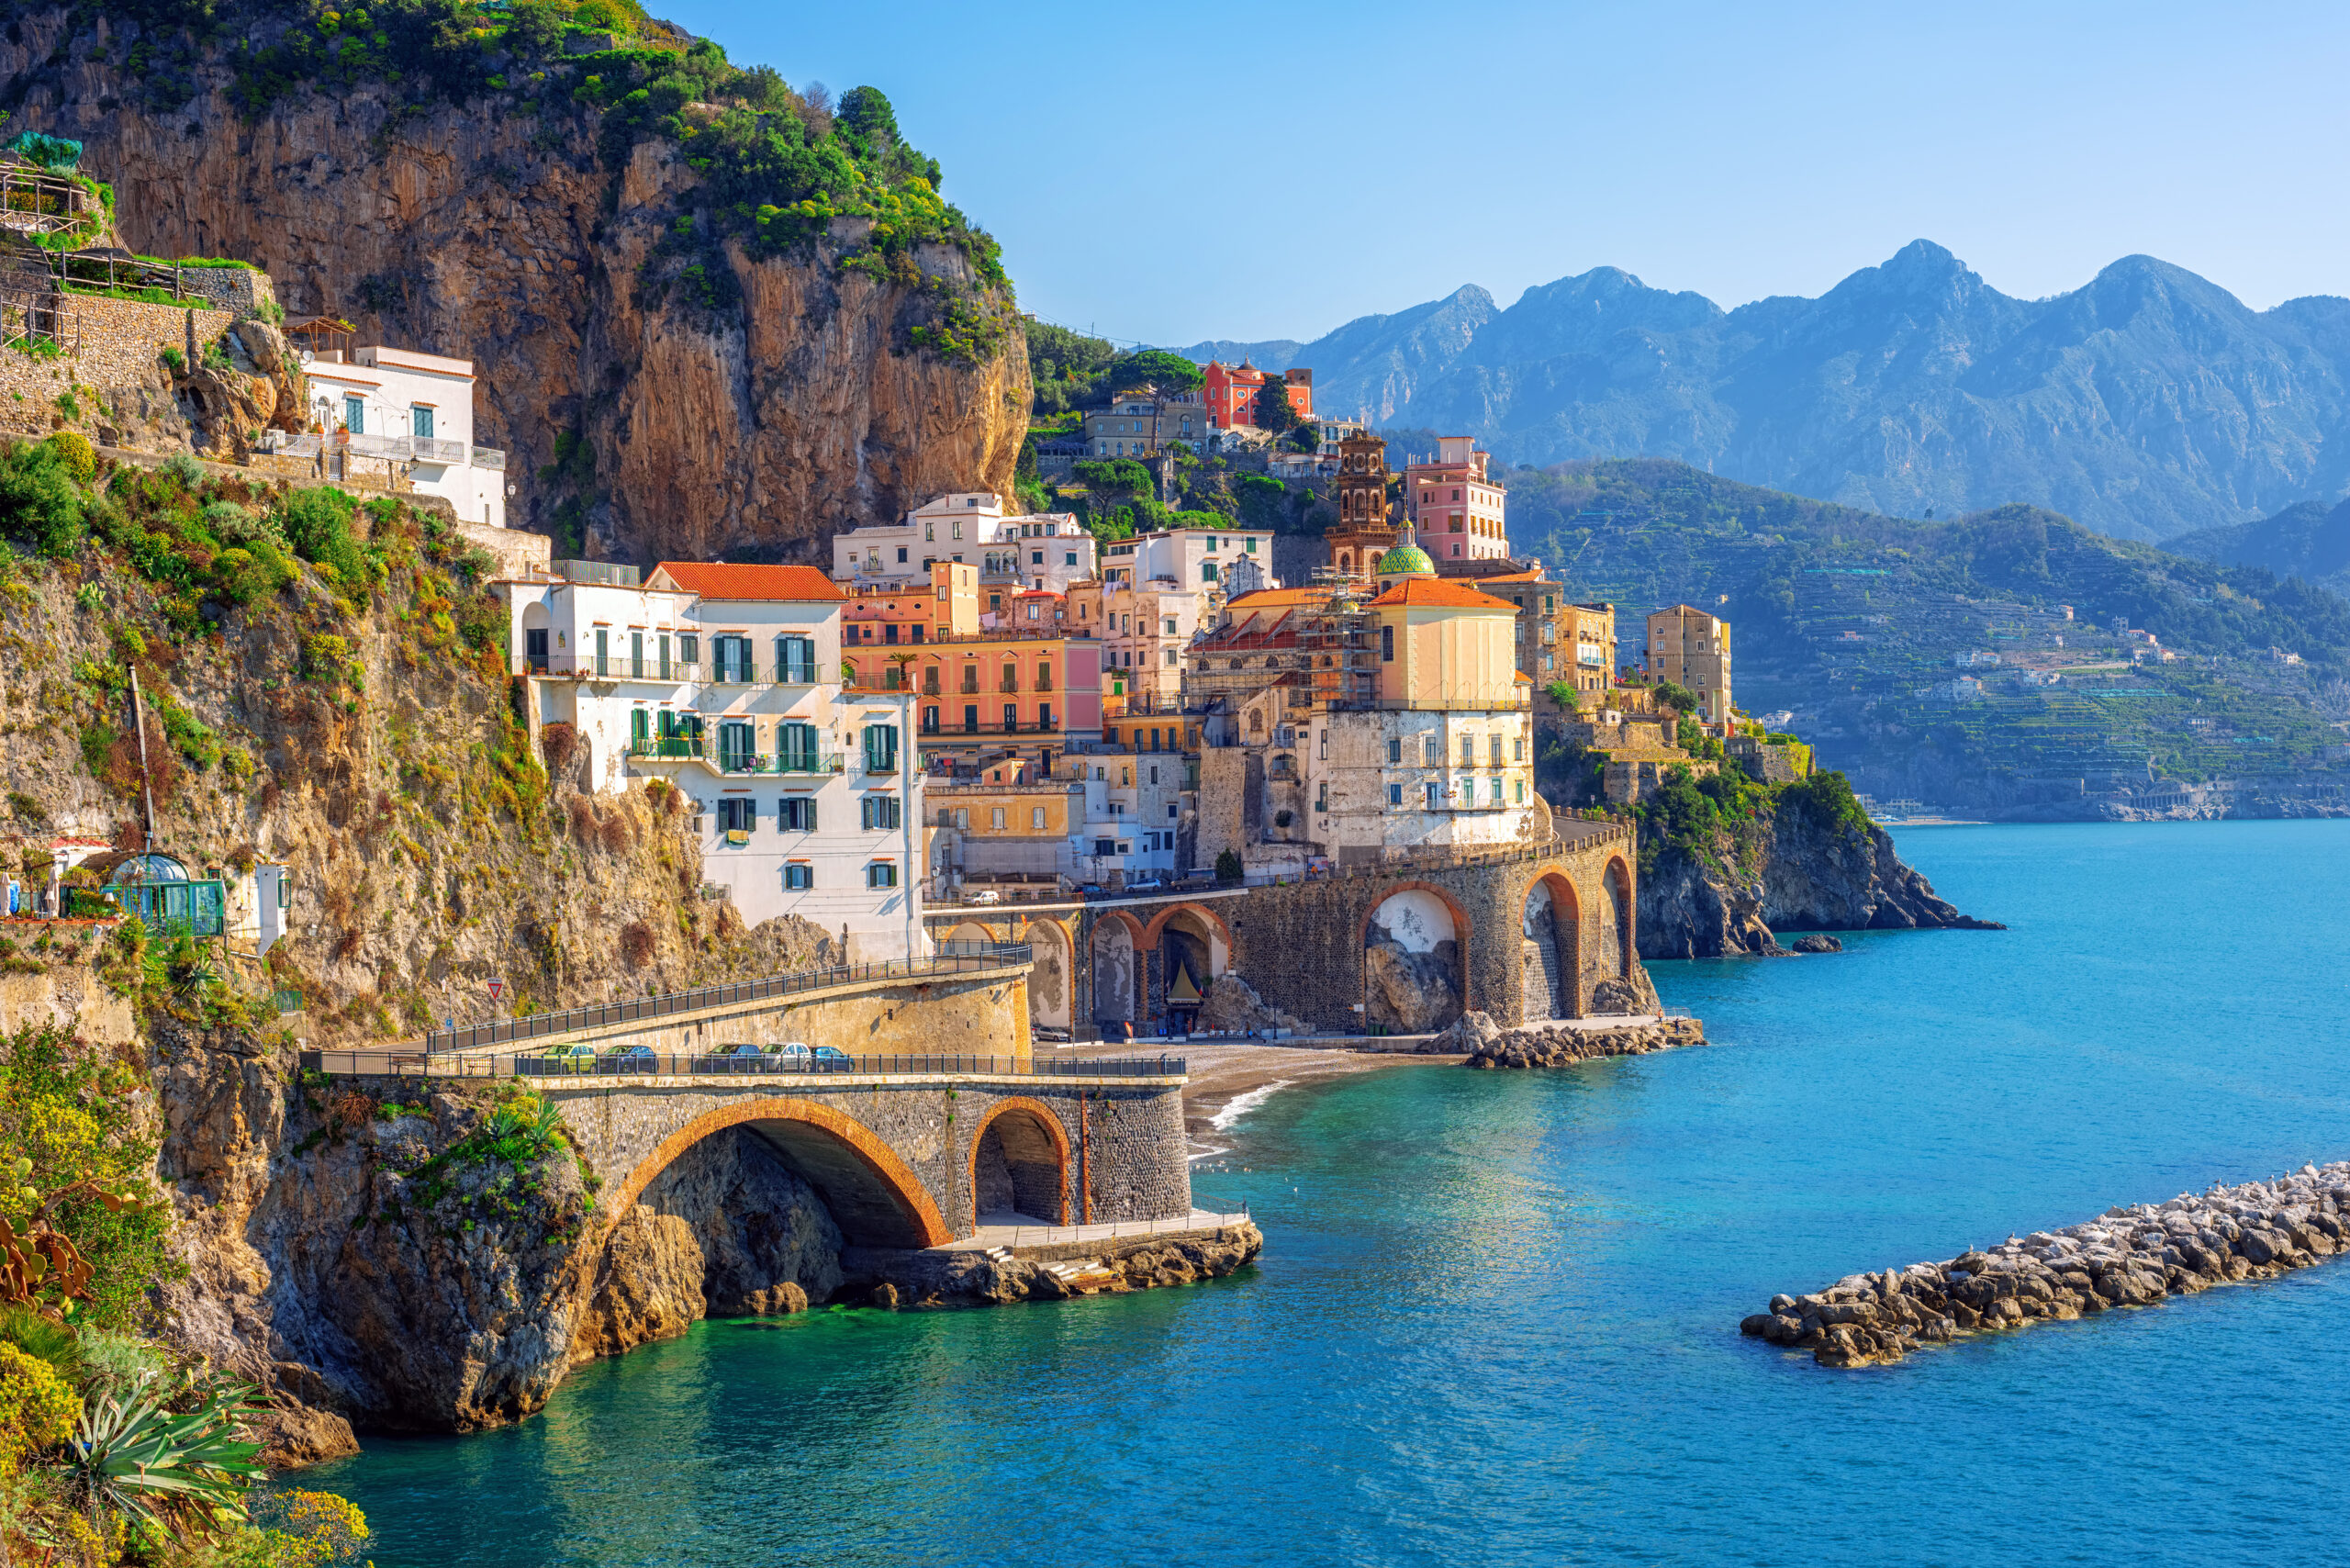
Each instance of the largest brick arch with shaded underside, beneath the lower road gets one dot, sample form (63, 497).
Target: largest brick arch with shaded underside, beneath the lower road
(871, 1193)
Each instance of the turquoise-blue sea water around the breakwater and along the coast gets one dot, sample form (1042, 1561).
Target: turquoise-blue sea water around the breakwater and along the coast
(1496, 1320)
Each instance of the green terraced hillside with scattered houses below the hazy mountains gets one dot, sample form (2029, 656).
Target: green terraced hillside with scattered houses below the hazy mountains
(1860, 624)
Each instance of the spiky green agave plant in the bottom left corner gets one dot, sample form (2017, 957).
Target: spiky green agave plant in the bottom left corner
(180, 1470)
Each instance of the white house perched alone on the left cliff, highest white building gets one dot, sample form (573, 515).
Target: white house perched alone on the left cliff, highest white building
(408, 408)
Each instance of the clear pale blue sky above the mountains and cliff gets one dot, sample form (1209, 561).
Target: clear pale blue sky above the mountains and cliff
(1275, 170)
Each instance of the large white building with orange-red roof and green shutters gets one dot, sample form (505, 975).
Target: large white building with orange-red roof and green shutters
(727, 681)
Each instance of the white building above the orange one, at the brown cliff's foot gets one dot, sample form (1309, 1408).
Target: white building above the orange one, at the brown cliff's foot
(1012, 551)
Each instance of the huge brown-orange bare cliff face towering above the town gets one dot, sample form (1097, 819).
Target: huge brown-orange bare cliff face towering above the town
(490, 232)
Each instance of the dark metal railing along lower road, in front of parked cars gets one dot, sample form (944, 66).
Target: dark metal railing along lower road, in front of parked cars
(765, 1066)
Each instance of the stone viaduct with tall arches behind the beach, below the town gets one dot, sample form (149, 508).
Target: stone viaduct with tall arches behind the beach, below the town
(1524, 932)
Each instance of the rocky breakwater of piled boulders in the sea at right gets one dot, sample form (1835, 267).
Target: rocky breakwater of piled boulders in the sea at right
(2123, 1259)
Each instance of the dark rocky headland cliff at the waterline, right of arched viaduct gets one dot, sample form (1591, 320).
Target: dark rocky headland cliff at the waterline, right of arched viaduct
(1794, 873)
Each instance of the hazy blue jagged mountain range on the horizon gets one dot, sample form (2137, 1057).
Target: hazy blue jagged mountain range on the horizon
(2147, 403)
